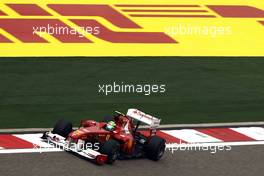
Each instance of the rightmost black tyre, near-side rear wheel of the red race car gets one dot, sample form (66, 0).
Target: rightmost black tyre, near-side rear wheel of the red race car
(155, 148)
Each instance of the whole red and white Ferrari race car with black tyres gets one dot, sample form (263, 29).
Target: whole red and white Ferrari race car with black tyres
(116, 137)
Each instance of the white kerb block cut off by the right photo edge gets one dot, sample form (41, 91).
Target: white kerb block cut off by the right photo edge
(256, 133)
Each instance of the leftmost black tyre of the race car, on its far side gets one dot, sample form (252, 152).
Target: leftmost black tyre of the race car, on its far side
(62, 128)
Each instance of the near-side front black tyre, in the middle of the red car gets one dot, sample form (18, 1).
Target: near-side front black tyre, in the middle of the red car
(111, 149)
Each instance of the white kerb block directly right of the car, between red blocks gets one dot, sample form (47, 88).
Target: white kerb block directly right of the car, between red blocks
(191, 136)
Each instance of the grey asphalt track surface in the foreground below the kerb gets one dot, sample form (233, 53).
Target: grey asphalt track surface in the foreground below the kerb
(241, 160)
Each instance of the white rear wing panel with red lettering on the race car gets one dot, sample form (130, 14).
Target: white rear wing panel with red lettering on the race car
(153, 122)
